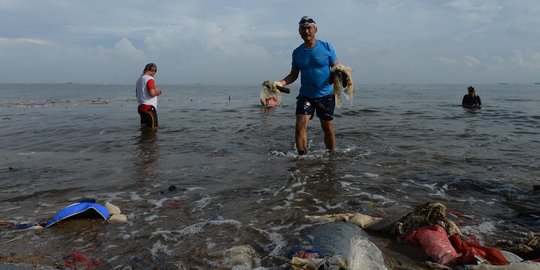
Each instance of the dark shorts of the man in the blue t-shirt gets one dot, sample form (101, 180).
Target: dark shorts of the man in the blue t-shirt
(323, 106)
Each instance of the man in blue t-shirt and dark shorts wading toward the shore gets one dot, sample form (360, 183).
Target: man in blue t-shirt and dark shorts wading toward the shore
(314, 59)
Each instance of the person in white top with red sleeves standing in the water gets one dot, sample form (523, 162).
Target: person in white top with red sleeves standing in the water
(147, 94)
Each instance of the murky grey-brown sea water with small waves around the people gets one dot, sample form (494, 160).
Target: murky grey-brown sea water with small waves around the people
(222, 172)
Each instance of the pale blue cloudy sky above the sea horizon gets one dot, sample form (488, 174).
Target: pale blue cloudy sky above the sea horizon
(250, 41)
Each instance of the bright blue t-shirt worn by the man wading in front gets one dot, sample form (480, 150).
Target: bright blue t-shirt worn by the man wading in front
(314, 65)
